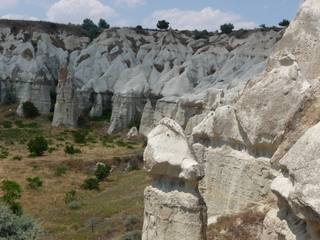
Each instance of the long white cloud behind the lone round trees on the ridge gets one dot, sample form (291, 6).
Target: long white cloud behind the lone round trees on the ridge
(207, 18)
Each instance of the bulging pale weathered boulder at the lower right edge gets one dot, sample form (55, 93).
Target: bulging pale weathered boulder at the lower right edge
(298, 185)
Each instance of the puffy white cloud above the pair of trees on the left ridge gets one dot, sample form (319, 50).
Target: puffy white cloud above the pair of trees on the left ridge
(75, 11)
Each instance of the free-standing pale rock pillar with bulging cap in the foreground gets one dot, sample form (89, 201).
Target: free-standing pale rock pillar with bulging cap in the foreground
(174, 208)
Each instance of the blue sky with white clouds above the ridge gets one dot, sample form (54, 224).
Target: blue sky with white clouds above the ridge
(181, 14)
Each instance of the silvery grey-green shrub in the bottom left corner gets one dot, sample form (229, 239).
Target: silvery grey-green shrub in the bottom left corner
(18, 227)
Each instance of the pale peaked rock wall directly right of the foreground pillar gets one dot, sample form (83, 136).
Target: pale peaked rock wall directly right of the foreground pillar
(234, 177)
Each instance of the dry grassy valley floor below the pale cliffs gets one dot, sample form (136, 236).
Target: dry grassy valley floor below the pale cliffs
(120, 195)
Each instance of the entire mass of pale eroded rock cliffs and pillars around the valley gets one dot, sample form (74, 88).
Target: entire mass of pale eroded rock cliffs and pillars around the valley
(242, 99)
